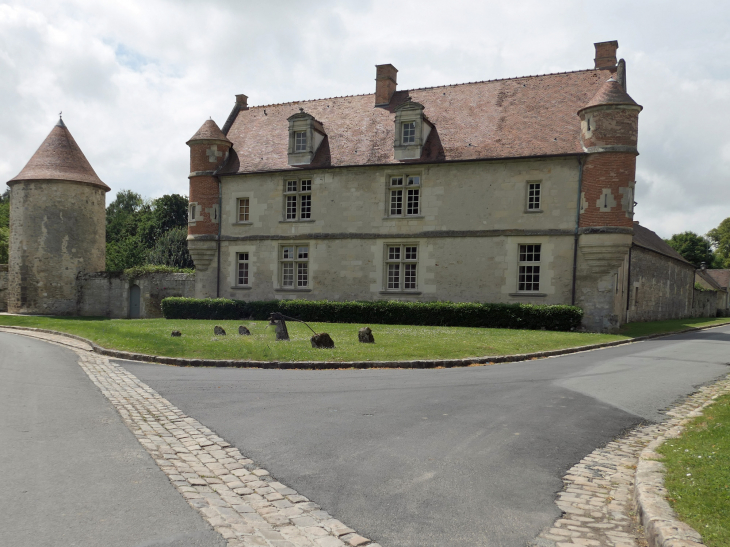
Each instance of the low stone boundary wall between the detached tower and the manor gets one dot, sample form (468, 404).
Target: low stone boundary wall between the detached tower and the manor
(107, 294)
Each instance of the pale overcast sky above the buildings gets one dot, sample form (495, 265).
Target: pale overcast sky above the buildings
(136, 79)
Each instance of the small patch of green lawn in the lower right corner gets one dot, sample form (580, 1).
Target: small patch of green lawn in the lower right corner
(698, 473)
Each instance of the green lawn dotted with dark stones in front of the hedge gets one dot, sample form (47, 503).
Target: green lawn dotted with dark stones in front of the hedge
(392, 342)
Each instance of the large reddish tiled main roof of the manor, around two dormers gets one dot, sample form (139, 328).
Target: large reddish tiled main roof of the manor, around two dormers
(519, 117)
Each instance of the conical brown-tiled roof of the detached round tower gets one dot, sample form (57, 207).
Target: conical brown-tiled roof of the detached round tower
(59, 158)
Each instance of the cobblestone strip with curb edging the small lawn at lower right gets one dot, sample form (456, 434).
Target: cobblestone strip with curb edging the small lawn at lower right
(601, 493)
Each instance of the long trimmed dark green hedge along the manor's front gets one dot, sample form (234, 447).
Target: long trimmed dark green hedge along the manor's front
(385, 312)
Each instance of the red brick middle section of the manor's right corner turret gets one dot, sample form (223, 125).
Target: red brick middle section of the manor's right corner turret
(611, 170)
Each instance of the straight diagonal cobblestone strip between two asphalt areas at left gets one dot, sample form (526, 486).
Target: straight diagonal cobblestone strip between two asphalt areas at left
(242, 501)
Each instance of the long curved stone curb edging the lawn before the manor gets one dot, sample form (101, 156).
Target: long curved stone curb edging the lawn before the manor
(324, 365)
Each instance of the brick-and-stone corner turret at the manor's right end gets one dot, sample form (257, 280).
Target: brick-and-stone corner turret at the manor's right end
(609, 133)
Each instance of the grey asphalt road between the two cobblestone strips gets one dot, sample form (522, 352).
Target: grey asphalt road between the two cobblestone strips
(450, 457)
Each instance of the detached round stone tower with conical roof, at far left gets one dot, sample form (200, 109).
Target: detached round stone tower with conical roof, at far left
(57, 227)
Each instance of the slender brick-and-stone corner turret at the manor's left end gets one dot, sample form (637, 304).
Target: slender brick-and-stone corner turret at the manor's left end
(208, 152)
